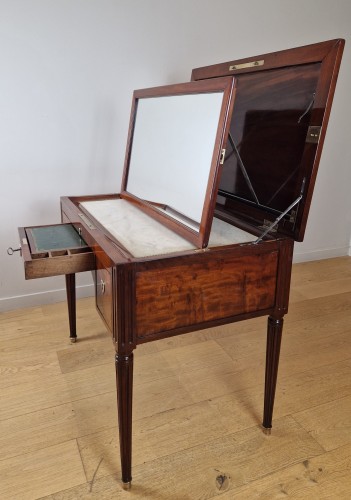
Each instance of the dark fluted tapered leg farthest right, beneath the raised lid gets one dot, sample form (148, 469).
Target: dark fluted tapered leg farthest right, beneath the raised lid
(274, 335)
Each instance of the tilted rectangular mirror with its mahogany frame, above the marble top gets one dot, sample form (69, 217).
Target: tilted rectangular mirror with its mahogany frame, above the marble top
(174, 151)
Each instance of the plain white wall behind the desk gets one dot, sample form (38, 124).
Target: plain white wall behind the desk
(67, 71)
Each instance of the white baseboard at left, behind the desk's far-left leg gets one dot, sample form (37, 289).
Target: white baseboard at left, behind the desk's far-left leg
(42, 298)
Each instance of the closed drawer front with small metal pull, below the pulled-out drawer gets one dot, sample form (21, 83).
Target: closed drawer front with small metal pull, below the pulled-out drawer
(103, 285)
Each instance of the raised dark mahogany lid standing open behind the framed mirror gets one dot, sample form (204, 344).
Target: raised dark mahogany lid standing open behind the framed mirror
(278, 125)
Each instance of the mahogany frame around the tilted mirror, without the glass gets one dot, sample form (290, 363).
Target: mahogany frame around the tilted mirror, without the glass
(225, 85)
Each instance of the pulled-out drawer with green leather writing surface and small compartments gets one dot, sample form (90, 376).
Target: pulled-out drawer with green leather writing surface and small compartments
(54, 250)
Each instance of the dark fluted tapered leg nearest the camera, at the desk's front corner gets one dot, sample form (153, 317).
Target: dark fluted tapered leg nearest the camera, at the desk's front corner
(124, 377)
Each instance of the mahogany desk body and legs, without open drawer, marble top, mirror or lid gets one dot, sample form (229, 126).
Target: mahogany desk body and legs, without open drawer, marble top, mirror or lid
(146, 299)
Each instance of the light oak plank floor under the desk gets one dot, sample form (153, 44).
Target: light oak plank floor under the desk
(197, 405)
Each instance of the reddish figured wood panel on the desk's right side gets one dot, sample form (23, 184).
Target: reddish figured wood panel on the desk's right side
(184, 294)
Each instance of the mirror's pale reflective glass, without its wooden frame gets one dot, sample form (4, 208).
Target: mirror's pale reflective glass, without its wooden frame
(173, 143)
